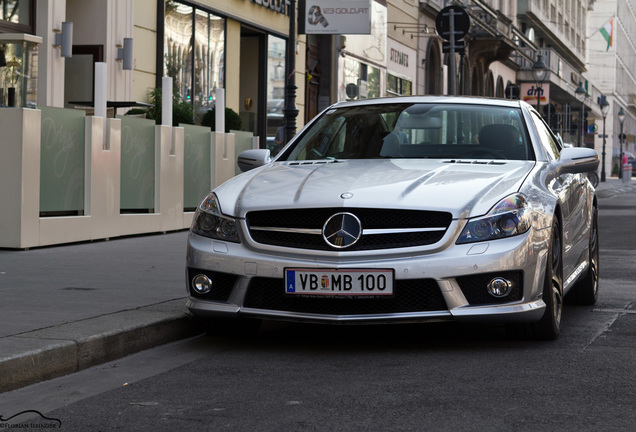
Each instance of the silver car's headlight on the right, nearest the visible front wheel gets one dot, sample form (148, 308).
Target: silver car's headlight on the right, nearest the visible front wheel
(510, 217)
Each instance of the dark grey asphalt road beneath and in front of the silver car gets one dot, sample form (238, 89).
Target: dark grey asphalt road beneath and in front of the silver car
(435, 377)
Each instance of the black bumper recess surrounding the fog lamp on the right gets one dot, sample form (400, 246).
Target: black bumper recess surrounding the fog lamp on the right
(476, 292)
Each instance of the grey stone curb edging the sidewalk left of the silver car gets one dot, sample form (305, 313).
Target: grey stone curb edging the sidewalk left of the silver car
(52, 352)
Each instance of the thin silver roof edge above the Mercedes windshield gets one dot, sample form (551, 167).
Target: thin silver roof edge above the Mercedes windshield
(460, 100)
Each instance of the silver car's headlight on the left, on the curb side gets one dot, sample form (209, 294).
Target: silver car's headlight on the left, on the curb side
(209, 222)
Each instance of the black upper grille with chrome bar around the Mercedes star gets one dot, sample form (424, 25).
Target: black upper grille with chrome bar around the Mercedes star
(302, 228)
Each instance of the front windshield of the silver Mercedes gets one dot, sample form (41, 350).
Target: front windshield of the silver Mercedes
(415, 131)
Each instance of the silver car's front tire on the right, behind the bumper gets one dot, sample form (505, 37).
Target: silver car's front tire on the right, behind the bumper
(549, 326)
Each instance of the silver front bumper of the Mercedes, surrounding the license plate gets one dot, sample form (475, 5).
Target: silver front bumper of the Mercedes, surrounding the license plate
(251, 282)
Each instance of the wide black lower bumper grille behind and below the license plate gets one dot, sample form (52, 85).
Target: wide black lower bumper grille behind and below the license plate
(413, 295)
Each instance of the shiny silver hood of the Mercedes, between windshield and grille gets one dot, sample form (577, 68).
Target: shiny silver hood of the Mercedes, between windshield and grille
(465, 189)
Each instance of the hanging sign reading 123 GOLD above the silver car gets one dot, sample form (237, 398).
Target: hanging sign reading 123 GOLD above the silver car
(334, 17)
